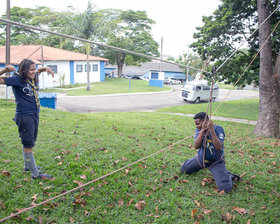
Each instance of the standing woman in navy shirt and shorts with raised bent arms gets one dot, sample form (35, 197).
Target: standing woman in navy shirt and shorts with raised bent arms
(25, 85)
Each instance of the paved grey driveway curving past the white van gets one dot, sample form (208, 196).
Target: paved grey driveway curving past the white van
(138, 101)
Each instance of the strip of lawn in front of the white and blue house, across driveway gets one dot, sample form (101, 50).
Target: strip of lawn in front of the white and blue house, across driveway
(111, 86)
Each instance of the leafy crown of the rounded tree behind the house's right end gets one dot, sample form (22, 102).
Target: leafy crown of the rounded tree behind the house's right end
(132, 32)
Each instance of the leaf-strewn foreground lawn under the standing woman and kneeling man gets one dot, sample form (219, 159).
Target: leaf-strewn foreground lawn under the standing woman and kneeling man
(77, 148)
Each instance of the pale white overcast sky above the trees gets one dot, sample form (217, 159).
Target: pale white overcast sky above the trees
(175, 20)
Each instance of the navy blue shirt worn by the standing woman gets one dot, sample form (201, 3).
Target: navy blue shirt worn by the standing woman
(25, 98)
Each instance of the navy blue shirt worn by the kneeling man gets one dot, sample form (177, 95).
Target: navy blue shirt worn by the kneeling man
(211, 153)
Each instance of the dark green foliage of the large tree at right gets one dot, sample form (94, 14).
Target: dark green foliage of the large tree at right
(231, 24)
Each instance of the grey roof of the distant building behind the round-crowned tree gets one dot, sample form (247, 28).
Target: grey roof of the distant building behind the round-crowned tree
(147, 67)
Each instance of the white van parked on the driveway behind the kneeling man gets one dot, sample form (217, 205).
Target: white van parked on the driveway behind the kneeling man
(196, 91)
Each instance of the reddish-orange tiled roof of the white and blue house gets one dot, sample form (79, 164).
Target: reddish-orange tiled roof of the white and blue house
(35, 52)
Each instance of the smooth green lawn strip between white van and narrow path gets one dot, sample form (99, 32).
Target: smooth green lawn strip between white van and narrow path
(242, 109)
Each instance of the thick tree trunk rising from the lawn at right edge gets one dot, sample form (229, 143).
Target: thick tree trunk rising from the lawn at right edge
(268, 122)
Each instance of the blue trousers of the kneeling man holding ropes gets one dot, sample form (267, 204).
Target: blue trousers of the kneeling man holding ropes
(217, 168)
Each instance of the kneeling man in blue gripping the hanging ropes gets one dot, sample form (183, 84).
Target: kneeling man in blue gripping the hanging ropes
(210, 153)
